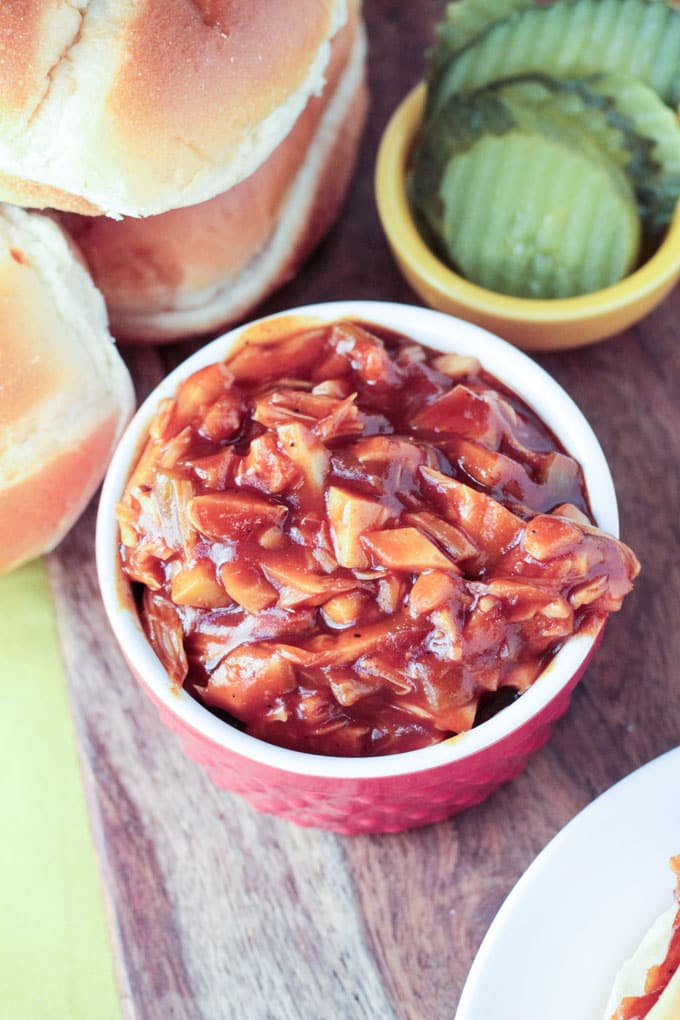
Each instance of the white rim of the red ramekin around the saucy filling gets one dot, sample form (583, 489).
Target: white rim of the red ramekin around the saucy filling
(508, 365)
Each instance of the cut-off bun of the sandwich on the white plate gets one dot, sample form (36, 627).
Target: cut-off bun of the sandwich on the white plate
(631, 980)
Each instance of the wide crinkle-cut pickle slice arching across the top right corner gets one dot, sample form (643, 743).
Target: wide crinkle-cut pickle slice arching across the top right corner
(570, 39)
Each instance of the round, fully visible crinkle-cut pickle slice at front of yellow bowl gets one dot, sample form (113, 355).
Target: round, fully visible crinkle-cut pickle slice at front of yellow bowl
(557, 232)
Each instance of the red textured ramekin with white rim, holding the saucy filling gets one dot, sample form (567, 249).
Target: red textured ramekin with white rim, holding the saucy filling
(392, 792)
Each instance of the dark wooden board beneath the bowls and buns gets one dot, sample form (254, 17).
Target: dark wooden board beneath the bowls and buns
(219, 912)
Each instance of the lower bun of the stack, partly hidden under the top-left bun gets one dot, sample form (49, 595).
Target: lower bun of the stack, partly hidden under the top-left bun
(197, 270)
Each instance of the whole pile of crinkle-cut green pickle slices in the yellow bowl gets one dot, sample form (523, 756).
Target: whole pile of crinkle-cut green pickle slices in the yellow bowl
(549, 156)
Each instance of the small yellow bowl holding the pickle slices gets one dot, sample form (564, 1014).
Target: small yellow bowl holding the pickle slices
(534, 325)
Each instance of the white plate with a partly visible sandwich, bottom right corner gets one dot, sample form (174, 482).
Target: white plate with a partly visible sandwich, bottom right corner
(583, 907)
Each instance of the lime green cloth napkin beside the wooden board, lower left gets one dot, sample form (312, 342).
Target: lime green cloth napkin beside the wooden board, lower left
(56, 959)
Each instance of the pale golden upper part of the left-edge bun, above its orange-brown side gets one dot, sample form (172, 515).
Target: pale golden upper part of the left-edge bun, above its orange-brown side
(62, 375)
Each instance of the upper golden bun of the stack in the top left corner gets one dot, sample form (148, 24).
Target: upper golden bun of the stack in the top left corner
(135, 109)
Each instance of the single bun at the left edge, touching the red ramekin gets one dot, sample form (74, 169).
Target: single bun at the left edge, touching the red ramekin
(66, 390)
